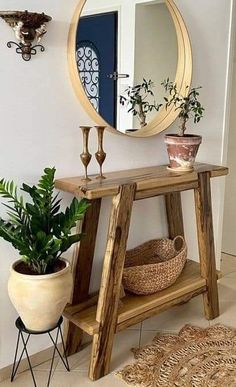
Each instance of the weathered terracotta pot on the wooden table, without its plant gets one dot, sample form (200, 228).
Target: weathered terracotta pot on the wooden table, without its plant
(182, 151)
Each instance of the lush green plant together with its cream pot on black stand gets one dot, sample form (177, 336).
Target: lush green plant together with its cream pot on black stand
(40, 281)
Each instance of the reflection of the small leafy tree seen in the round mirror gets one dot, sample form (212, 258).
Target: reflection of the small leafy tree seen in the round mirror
(136, 98)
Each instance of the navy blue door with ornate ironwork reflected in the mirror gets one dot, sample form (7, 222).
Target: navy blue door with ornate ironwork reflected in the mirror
(96, 55)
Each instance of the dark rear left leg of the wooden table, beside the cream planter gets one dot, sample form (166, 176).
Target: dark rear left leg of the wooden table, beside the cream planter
(81, 269)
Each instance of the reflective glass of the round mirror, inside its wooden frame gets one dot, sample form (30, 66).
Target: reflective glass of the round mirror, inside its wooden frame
(124, 50)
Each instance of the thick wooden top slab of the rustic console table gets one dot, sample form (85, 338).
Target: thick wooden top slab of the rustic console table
(149, 178)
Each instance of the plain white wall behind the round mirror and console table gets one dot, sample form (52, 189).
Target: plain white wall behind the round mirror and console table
(39, 123)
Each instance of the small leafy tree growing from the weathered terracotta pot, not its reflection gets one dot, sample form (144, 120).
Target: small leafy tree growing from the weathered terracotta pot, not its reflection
(189, 107)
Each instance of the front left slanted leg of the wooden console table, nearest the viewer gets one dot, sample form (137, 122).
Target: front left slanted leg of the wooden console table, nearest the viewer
(111, 281)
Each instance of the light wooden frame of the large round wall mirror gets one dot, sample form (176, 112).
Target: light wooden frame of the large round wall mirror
(165, 117)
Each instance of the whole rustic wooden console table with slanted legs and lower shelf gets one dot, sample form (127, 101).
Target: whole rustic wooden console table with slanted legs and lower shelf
(102, 316)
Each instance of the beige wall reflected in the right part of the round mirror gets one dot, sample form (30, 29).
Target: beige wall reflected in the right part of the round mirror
(156, 49)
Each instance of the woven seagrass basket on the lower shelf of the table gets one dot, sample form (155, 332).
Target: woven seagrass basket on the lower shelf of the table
(154, 265)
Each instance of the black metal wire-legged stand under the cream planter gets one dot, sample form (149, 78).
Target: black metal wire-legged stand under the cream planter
(25, 339)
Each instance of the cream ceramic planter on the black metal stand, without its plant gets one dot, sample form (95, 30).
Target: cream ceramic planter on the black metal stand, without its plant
(40, 299)
